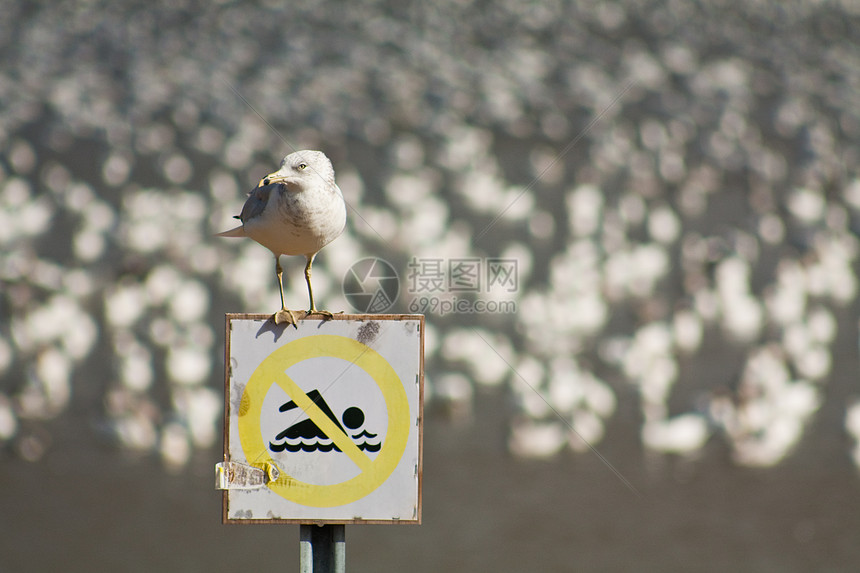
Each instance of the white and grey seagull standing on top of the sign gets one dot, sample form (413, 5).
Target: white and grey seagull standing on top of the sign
(297, 210)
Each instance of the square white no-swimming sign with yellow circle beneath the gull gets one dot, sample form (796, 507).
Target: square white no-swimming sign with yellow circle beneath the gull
(323, 421)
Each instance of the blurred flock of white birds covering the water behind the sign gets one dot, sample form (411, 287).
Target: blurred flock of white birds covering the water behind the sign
(679, 186)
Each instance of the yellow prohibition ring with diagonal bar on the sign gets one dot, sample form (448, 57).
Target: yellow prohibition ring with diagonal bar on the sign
(272, 370)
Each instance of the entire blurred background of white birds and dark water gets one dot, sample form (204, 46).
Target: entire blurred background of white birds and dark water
(678, 183)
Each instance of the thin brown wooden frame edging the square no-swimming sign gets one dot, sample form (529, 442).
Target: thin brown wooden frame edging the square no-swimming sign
(268, 324)
